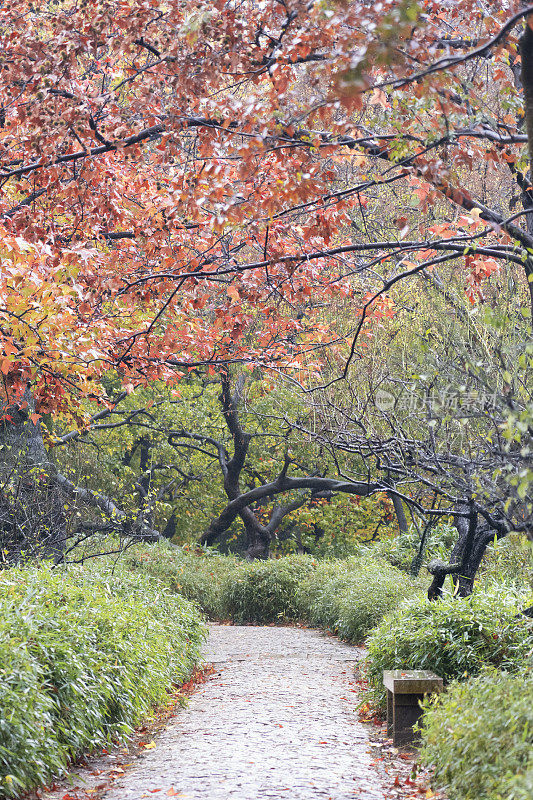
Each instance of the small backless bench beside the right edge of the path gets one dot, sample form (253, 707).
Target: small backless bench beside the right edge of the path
(405, 690)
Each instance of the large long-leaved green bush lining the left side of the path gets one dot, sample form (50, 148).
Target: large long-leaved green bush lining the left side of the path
(84, 656)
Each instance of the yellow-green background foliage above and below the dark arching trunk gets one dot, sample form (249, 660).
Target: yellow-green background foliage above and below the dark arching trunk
(117, 460)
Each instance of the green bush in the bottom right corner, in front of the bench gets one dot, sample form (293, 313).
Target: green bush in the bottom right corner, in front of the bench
(479, 738)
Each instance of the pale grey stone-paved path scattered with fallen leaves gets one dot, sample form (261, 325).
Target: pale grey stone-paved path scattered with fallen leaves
(277, 719)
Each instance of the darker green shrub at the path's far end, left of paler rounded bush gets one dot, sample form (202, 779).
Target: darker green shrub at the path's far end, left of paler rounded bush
(265, 591)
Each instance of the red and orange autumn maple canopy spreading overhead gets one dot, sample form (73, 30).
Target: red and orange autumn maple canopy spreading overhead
(191, 185)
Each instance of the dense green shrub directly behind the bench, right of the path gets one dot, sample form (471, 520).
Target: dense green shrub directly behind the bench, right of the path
(454, 637)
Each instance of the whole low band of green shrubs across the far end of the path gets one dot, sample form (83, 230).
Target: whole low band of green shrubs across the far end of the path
(348, 596)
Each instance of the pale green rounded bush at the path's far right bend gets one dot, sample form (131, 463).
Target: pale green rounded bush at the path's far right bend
(350, 597)
